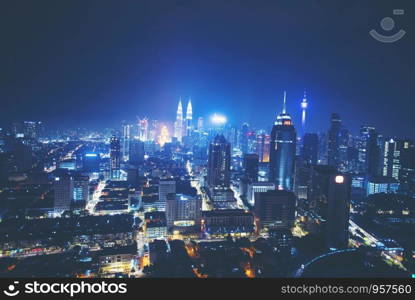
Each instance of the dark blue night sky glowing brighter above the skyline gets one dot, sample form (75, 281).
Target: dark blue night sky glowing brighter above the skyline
(96, 63)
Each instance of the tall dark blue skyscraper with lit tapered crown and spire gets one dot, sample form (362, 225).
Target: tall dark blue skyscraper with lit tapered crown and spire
(282, 152)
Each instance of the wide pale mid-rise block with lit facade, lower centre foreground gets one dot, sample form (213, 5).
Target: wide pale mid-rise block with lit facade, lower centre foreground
(183, 210)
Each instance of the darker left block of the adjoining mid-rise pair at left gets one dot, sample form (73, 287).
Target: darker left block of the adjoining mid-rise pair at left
(63, 187)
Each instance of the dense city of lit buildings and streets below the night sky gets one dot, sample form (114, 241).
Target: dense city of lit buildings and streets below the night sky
(201, 197)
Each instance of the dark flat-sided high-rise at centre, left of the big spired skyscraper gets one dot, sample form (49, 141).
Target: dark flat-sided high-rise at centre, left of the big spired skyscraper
(219, 162)
